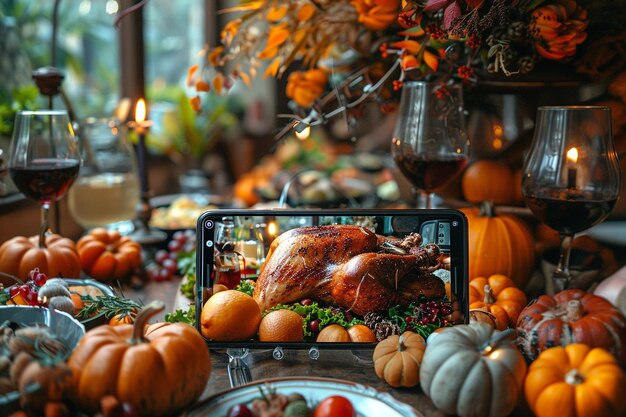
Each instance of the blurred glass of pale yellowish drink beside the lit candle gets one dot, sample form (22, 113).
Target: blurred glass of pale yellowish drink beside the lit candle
(106, 192)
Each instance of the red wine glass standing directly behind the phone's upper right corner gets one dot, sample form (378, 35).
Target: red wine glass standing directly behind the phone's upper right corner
(429, 144)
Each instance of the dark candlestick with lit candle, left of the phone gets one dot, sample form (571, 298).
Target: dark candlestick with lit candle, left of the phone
(144, 234)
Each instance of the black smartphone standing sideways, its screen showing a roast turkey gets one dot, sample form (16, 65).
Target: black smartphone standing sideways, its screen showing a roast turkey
(274, 251)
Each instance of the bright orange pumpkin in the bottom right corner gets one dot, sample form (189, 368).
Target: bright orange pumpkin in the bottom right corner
(576, 381)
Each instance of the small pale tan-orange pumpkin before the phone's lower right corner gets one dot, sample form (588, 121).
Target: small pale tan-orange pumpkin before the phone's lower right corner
(397, 359)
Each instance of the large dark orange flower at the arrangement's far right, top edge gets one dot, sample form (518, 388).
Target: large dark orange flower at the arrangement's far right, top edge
(558, 29)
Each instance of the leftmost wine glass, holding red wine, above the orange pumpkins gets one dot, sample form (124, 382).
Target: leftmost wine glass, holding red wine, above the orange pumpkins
(44, 158)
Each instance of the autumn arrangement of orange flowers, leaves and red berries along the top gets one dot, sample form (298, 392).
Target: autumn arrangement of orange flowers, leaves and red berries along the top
(339, 54)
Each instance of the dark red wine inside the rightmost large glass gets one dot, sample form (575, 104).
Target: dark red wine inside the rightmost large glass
(569, 215)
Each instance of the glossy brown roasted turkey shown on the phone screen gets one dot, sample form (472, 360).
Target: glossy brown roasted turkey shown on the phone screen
(348, 266)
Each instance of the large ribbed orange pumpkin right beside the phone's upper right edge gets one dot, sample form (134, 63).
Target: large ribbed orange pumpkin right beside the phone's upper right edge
(499, 244)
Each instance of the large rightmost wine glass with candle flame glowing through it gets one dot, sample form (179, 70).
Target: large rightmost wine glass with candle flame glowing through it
(571, 176)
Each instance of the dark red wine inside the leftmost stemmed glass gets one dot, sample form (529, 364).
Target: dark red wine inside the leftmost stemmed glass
(45, 180)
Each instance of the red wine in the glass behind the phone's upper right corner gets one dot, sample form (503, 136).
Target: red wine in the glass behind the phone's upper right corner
(428, 173)
